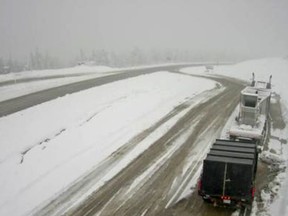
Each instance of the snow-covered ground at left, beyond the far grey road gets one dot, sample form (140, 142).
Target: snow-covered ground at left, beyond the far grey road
(50, 79)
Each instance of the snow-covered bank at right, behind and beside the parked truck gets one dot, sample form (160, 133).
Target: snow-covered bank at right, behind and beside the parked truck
(275, 198)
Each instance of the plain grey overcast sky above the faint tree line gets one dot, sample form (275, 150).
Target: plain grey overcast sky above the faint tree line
(63, 27)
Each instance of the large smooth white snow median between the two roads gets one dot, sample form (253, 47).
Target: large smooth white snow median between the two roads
(46, 148)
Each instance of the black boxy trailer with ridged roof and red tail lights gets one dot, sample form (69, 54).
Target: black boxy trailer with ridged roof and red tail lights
(228, 174)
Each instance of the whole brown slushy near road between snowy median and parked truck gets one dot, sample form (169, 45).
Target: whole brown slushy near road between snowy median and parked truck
(153, 194)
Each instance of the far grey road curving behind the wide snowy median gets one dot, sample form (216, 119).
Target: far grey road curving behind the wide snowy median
(17, 104)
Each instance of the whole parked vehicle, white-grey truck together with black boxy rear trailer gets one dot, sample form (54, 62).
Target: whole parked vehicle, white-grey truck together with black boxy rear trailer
(229, 169)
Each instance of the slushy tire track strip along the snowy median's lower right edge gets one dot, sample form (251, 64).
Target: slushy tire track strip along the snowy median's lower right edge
(83, 185)
